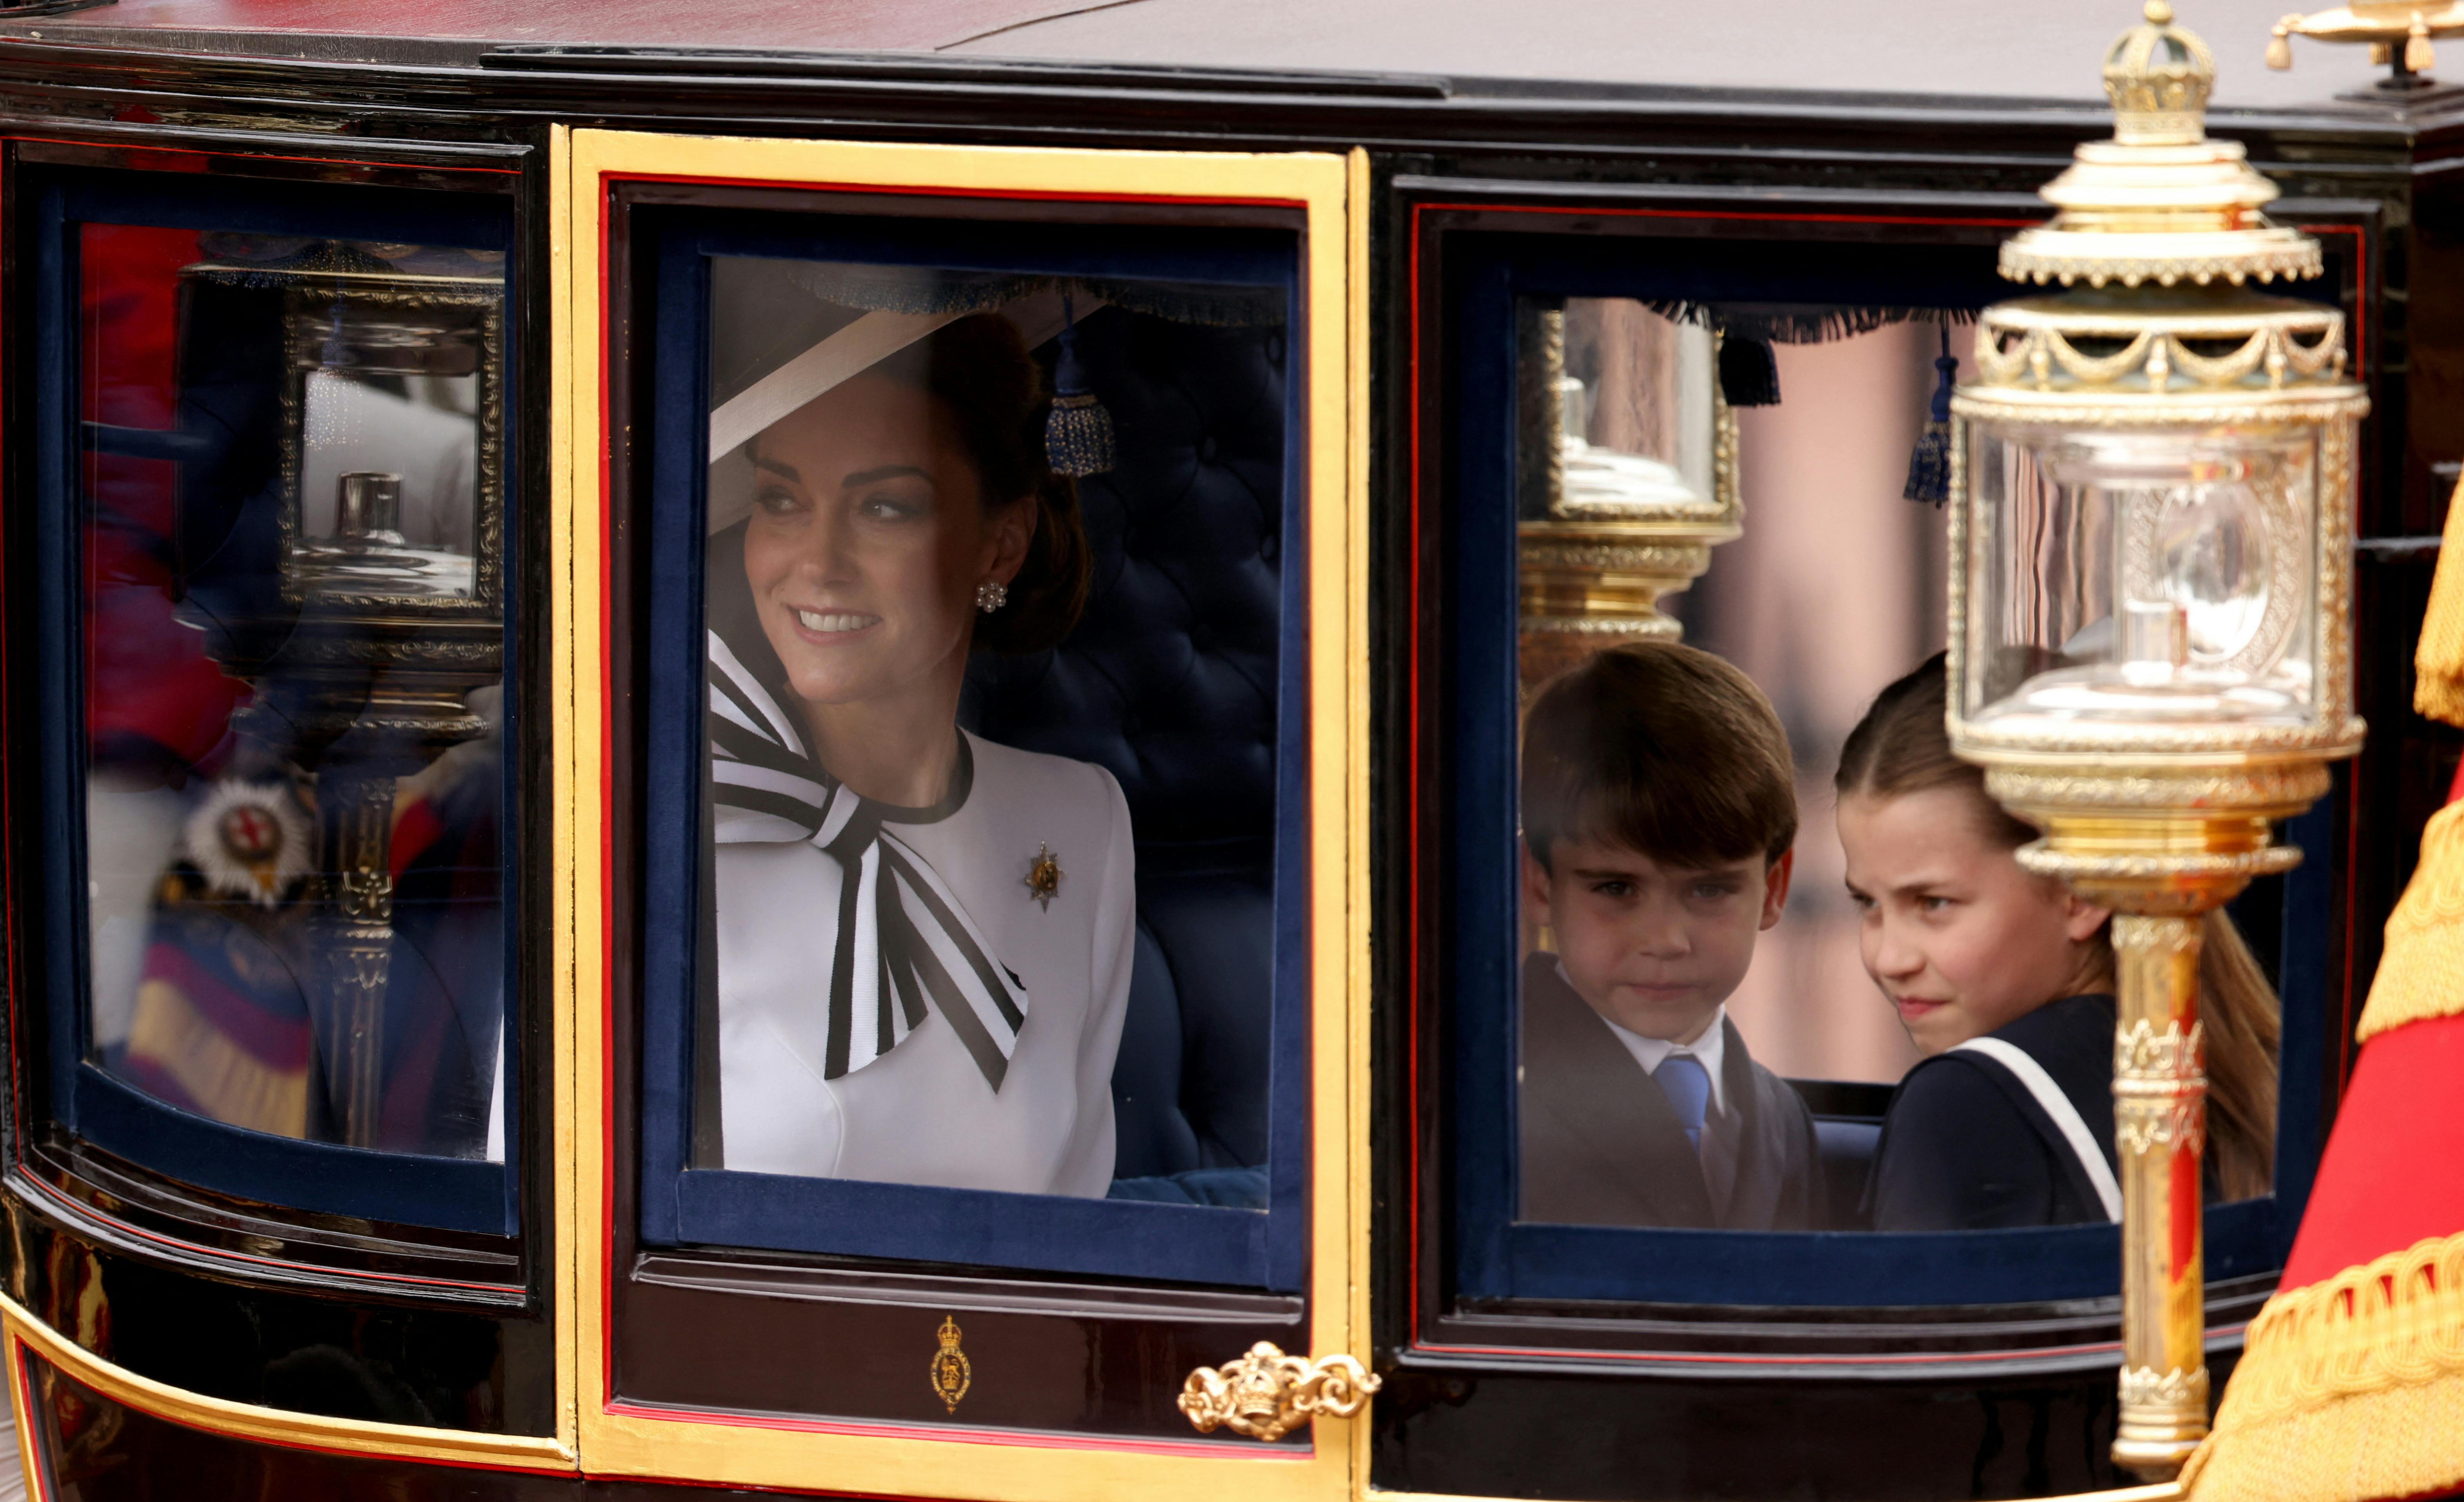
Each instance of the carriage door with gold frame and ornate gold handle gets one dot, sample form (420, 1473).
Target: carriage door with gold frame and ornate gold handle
(962, 617)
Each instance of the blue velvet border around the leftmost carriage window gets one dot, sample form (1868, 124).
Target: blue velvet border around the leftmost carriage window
(395, 1188)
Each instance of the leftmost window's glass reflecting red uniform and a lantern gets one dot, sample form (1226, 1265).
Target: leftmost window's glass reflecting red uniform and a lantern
(294, 705)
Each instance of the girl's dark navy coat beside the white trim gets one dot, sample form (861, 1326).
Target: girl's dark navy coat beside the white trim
(1968, 1149)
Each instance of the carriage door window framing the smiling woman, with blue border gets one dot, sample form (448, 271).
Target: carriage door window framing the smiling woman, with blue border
(992, 676)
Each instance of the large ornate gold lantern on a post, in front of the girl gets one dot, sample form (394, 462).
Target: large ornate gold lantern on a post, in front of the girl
(2152, 612)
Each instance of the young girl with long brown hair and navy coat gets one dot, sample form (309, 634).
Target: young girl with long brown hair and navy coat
(2004, 984)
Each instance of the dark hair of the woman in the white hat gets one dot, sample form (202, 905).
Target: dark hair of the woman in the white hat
(997, 395)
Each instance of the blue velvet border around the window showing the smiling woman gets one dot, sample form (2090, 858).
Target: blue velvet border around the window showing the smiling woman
(849, 1218)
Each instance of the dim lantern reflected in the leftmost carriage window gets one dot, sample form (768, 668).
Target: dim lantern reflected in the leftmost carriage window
(388, 604)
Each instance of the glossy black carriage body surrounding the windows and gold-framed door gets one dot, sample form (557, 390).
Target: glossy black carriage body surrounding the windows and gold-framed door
(344, 1319)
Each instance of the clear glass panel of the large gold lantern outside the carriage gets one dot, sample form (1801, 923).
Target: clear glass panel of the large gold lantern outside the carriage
(2142, 577)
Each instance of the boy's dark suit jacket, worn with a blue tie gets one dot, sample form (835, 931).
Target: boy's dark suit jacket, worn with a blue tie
(1603, 1146)
